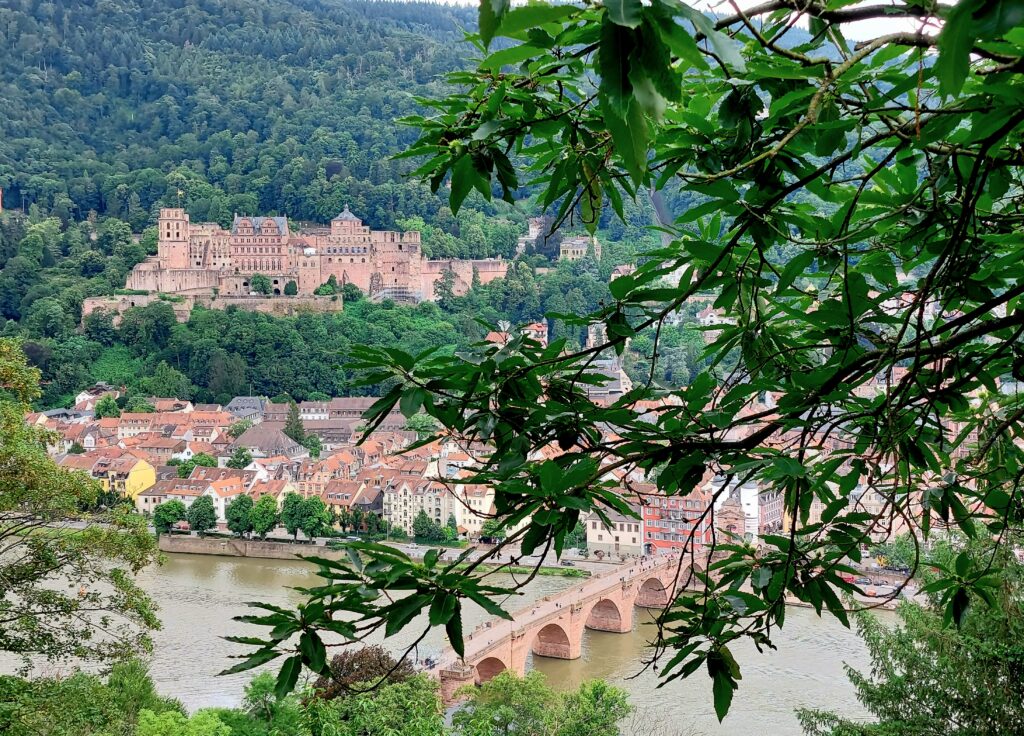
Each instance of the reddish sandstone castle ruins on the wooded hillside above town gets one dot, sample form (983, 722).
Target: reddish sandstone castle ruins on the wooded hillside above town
(204, 259)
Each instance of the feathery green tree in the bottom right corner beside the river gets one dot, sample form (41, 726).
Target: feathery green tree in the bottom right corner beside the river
(930, 679)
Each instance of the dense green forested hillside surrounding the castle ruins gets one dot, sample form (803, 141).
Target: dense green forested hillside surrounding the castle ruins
(117, 109)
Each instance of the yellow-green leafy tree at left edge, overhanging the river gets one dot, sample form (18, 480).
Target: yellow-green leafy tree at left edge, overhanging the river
(105, 615)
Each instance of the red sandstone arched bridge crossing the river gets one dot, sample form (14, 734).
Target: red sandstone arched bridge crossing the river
(554, 626)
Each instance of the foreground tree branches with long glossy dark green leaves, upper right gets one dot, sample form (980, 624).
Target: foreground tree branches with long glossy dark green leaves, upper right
(880, 356)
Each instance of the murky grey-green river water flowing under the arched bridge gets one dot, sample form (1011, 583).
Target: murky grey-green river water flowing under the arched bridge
(199, 595)
